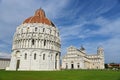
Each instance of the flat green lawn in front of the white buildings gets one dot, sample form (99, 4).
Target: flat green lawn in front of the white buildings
(60, 75)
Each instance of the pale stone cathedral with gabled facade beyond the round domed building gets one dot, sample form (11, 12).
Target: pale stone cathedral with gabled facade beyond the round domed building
(78, 59)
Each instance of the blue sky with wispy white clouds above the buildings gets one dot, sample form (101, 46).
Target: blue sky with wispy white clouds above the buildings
(87, 23)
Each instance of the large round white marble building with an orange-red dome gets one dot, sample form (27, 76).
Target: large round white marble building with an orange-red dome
(36, 44)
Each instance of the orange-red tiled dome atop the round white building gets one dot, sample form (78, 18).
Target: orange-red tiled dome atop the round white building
(39, 17)
